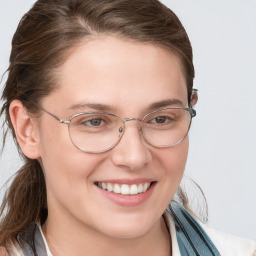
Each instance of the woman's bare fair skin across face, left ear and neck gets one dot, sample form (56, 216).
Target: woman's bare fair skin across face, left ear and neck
(128, 77)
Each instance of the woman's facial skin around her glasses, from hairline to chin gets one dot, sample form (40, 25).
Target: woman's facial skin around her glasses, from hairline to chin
(127, 78)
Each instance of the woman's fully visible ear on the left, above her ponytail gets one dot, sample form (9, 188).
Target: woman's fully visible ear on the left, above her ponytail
(26, 130)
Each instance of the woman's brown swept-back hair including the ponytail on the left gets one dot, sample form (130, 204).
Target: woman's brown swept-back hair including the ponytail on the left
(40, 45)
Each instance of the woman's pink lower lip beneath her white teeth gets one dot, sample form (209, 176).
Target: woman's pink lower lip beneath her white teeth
(128, 200)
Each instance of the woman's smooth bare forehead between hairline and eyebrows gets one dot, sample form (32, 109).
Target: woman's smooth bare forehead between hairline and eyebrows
(120, 73)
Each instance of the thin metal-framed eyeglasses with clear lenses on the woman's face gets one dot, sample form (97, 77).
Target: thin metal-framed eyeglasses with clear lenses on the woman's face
(97, 132)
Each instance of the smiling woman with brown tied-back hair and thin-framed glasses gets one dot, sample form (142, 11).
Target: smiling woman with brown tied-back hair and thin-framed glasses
(99, 98)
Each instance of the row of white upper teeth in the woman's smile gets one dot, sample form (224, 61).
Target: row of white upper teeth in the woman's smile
(125, 189)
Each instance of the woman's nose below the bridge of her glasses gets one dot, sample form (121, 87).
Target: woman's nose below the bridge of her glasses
(131, 152)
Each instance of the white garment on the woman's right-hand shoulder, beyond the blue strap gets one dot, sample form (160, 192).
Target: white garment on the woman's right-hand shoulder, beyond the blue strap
(229, 245)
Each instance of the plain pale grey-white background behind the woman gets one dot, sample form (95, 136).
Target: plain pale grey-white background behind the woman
(222, 157)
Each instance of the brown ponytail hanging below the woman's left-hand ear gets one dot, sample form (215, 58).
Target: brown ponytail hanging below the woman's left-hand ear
(24, 202)
